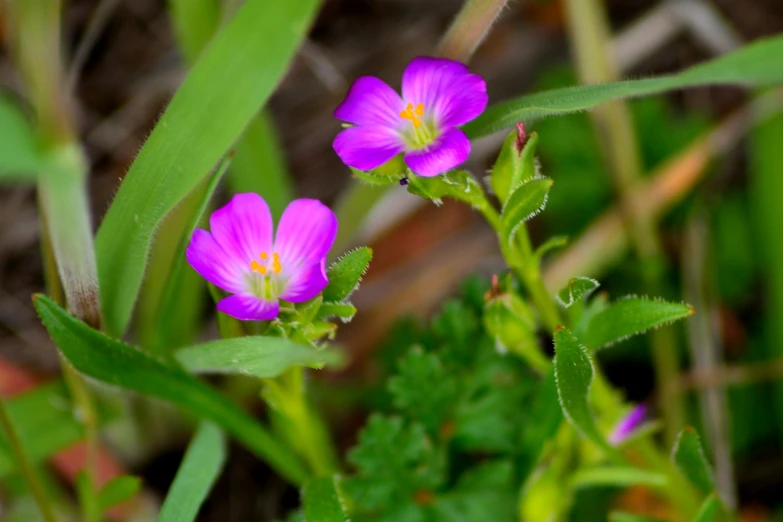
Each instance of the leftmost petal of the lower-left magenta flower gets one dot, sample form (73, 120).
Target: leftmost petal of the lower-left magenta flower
(209, 259)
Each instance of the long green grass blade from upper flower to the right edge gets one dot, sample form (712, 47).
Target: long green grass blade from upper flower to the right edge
(753, 64)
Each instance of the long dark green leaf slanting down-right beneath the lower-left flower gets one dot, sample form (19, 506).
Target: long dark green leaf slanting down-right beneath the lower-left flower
(116, 363)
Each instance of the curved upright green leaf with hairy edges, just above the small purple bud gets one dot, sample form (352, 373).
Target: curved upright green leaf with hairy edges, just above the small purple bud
(574, 374)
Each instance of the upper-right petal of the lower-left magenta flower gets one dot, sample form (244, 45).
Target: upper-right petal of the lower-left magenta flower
(305, 234)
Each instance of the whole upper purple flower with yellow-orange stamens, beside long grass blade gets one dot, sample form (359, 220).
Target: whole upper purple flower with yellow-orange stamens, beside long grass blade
(437, 96)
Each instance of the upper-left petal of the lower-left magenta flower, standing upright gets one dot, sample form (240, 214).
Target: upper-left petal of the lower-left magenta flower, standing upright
(243, 227)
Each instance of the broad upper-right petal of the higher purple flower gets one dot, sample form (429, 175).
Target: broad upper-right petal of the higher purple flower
(446, 88)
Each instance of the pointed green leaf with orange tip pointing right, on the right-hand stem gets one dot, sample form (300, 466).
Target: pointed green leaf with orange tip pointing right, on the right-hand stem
(630, 316)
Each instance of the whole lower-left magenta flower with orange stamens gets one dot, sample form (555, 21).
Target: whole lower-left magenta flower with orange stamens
(241, 257)
